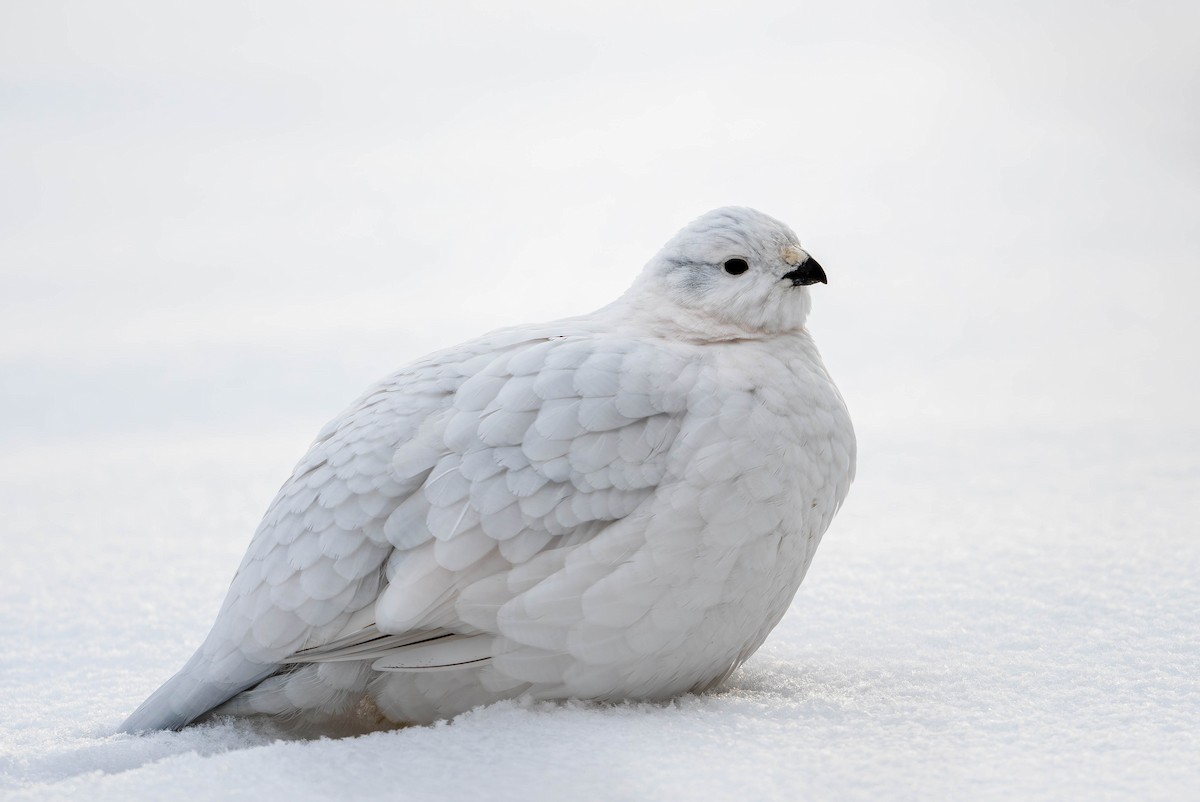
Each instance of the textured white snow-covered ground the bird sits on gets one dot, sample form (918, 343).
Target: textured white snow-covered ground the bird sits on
(1007, 615)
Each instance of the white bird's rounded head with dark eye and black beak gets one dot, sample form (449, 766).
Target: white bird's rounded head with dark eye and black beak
(734, 270)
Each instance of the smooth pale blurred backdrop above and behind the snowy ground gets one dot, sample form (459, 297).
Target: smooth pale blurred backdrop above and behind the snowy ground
(232, 218)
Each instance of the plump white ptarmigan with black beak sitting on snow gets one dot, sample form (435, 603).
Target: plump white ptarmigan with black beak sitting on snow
(616, 506)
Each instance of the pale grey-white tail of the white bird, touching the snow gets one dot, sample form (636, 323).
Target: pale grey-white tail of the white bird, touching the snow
(194, 692)
